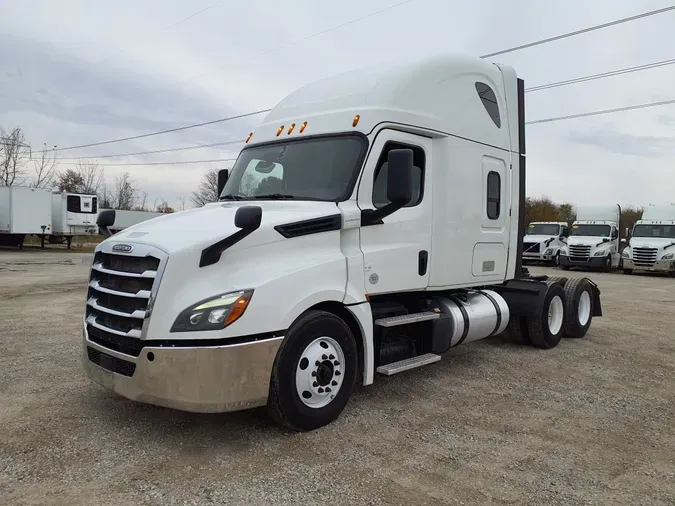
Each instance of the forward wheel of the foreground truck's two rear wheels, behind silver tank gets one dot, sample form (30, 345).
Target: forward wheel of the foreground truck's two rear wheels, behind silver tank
(545, 329)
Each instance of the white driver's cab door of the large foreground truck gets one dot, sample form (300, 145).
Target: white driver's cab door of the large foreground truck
(397, 250)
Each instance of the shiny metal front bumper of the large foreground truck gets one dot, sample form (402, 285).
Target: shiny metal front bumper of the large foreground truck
(205, 379)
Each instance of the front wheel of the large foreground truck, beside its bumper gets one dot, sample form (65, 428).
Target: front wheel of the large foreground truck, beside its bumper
(313, 373)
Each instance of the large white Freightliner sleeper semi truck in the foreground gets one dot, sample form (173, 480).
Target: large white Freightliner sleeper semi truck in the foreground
(372, 223)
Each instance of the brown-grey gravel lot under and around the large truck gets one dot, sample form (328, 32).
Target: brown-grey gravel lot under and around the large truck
(589, 422)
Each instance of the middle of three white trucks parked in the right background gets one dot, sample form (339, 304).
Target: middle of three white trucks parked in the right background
(593, 242)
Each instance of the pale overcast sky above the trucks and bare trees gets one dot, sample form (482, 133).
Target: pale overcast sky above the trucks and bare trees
(80, 71)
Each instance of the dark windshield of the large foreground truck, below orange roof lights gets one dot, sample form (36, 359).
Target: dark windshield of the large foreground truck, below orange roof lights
(323, 168)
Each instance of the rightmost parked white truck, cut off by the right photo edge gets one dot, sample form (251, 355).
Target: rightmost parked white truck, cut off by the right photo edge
(652, 242)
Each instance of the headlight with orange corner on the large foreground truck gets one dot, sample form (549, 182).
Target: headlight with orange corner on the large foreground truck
(214, 313)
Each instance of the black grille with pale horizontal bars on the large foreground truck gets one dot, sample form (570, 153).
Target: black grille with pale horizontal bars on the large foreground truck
(120, 295)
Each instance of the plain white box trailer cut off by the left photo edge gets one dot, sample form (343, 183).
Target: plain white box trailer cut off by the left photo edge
(24, 211)
